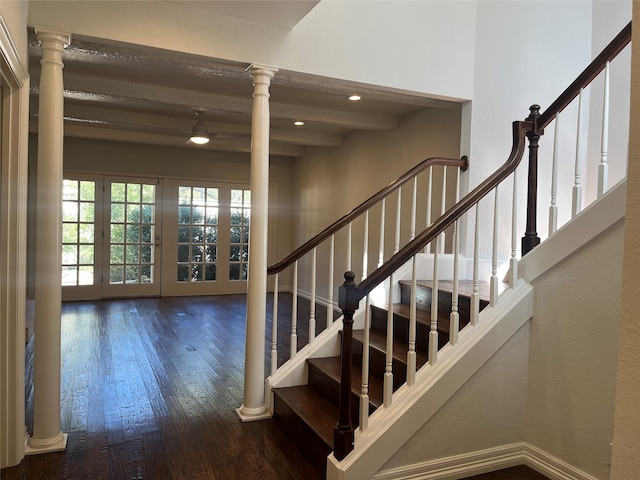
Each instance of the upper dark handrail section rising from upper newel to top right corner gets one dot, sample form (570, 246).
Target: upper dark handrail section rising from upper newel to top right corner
(589, 73)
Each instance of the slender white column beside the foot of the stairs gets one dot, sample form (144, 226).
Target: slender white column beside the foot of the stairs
(254, 407)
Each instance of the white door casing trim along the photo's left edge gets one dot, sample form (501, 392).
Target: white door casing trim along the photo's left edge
(13, 235)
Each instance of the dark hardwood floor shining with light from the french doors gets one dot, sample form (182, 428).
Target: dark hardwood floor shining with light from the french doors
(149, 390)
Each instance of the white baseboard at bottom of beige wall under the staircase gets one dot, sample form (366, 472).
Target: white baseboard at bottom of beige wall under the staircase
(484, 461)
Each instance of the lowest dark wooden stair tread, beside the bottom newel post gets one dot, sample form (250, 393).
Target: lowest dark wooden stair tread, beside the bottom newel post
(319, 414)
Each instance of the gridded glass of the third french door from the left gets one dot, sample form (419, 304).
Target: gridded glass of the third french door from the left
(198, 206)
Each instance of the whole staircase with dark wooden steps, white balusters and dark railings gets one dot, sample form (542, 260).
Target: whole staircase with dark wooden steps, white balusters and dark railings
(304, 394)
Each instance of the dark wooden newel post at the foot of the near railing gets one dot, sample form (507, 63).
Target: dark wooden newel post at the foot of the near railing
(348, 301)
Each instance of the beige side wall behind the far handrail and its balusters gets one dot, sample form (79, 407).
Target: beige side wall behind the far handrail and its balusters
(329, 183)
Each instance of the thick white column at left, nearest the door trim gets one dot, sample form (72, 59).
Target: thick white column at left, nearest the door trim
(47, 436)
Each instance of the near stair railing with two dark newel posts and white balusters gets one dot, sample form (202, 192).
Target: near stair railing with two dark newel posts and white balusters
(351, 293)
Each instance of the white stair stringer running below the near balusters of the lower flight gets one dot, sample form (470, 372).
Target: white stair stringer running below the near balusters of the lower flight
(390, 428)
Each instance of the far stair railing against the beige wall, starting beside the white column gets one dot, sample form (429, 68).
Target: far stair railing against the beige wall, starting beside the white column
(321, 249)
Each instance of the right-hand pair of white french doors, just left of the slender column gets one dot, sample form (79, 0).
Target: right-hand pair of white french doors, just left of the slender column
(207, 227)
